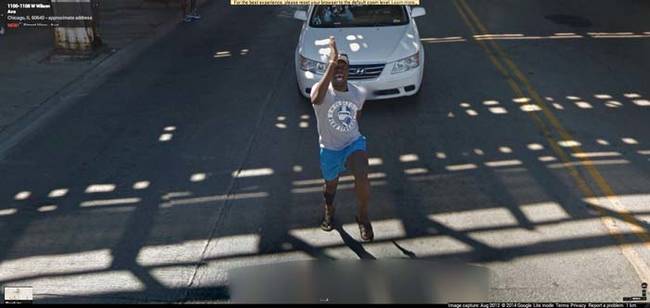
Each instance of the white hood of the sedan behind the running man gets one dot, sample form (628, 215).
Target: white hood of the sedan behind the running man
(363, 45)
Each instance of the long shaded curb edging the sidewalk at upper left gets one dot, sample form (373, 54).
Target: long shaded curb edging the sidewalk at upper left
(81, 85)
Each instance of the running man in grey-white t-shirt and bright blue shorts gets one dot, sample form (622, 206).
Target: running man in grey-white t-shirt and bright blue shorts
(337, 105)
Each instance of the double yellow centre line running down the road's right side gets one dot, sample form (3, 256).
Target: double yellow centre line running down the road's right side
(496, 56)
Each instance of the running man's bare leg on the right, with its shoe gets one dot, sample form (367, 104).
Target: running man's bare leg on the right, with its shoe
(358, 163)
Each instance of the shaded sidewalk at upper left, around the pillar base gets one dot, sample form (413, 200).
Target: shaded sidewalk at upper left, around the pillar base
(28, 82)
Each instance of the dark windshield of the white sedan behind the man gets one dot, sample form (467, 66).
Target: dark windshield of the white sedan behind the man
(343, 16)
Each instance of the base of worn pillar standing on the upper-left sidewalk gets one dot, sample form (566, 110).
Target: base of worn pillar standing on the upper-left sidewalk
(77, 33)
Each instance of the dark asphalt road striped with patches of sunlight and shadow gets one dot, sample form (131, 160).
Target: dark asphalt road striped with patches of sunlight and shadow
(527, 152)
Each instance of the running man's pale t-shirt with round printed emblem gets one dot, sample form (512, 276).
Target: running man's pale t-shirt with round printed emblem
(336, 116)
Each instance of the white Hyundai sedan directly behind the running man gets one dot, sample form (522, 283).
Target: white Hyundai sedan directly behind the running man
(382, 43)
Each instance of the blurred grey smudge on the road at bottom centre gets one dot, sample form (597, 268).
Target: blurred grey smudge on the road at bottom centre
(390, 281)
